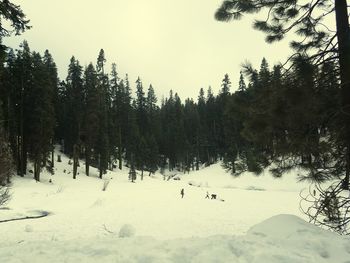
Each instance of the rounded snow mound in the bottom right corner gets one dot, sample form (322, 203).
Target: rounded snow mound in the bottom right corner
(289, 237)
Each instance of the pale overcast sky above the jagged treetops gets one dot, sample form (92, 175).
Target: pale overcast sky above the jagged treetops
(172, 44)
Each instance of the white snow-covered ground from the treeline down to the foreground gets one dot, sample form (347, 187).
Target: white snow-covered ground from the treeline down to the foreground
(253, 219)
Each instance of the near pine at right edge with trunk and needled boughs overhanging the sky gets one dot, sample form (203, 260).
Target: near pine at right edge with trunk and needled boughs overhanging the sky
(319, 44)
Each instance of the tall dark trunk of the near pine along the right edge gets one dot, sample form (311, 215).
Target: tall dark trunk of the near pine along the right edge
(343, 36)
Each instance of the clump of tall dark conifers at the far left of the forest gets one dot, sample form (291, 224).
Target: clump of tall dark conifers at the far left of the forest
(31, 118)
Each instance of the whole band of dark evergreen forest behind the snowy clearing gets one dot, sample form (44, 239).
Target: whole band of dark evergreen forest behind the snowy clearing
(285, 118)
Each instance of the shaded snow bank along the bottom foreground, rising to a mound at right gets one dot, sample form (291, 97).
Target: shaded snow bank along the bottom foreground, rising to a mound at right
(282, 238)
